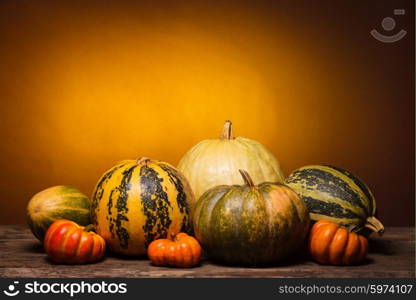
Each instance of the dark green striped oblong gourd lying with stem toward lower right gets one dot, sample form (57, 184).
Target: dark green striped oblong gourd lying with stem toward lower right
(334, 194)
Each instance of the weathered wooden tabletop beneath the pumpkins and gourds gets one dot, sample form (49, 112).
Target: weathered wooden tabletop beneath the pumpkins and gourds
(21, 255)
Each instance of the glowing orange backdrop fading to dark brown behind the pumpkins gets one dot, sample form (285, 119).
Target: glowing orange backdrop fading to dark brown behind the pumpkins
(85, 84)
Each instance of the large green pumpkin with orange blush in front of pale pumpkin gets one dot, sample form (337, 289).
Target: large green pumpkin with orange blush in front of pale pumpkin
(249, 224)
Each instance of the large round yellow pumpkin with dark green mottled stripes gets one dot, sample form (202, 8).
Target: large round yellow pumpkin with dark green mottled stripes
(138, 201)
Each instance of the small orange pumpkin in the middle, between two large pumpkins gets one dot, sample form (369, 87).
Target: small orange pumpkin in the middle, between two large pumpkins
(181, 251)
